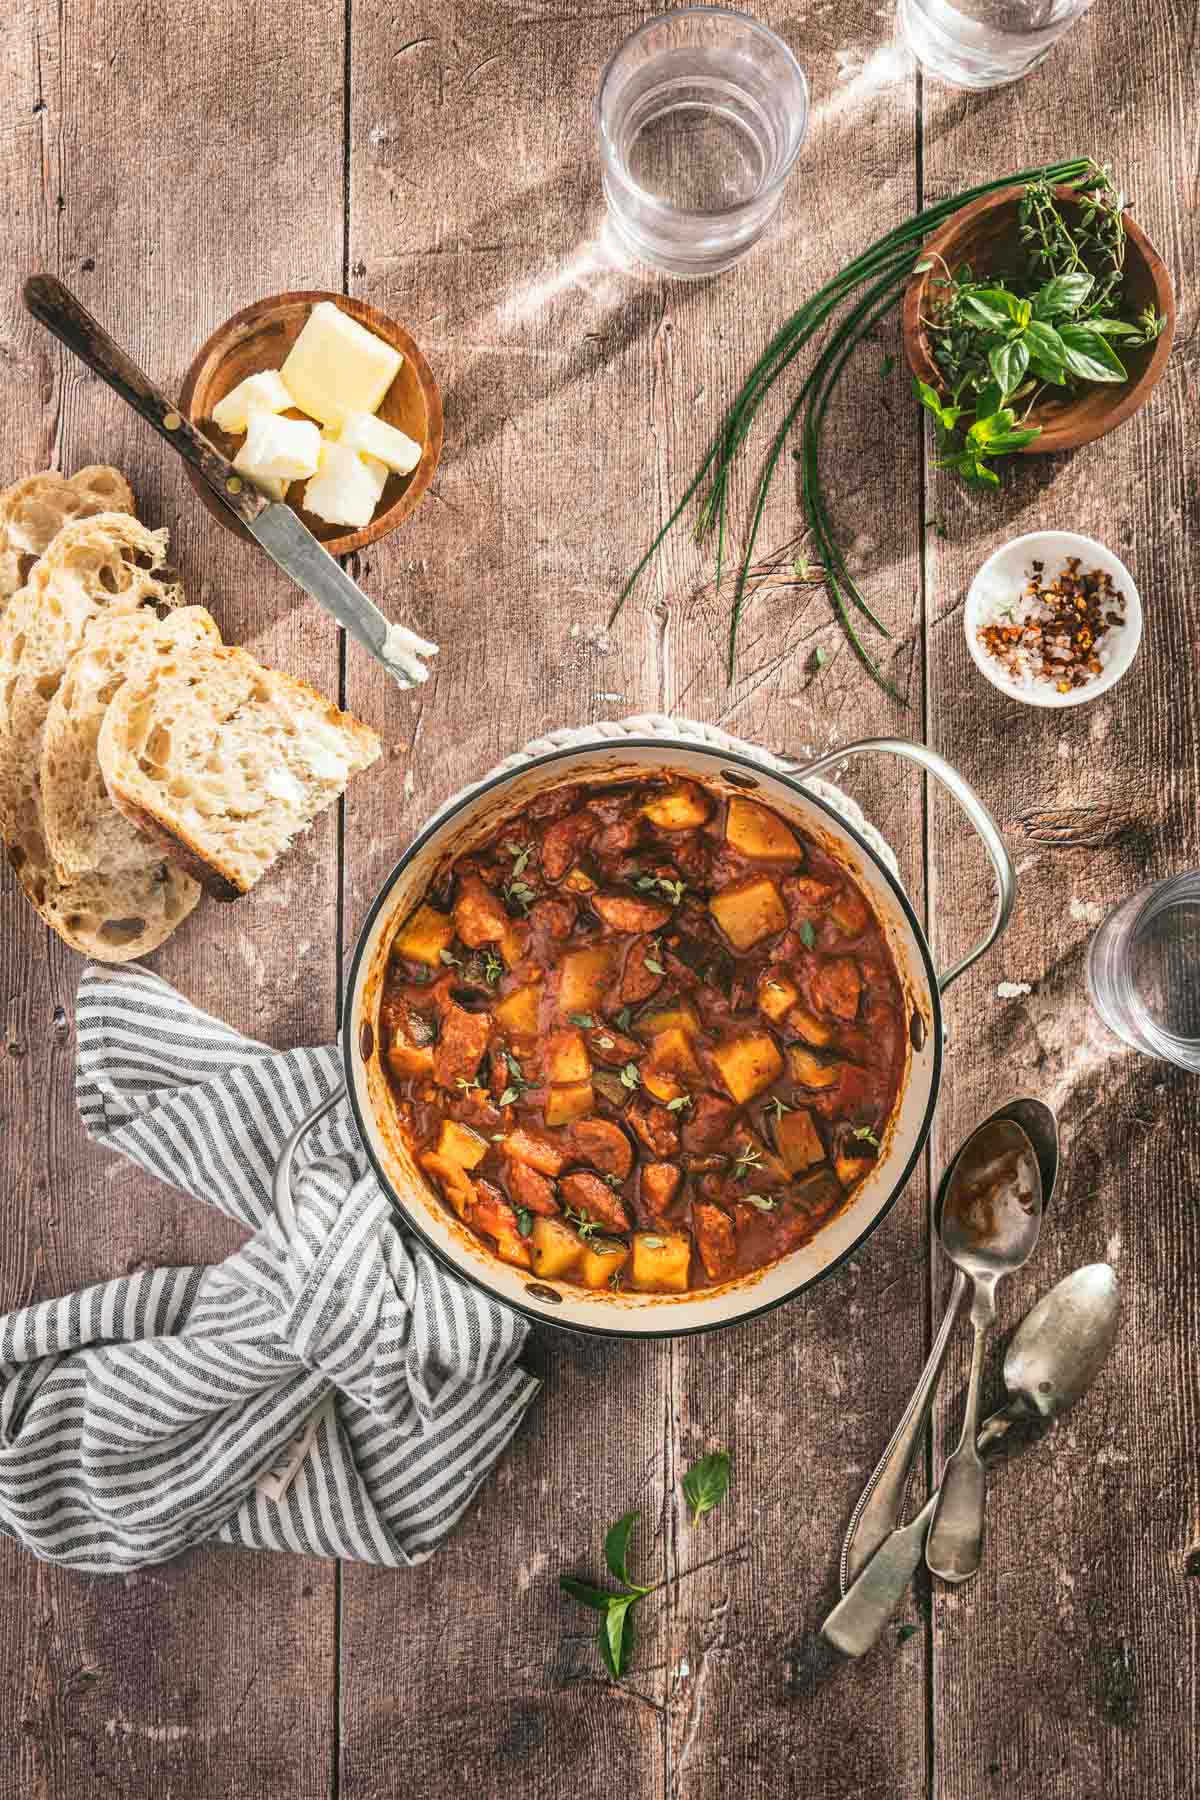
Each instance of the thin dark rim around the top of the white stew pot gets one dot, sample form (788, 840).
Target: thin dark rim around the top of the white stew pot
(542, 762)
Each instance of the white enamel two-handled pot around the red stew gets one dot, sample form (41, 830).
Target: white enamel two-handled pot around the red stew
(656, 748)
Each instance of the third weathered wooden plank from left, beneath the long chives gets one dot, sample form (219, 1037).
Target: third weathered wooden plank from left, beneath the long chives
(807, 1398)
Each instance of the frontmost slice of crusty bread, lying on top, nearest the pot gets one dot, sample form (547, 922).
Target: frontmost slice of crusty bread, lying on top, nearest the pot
(226, 762)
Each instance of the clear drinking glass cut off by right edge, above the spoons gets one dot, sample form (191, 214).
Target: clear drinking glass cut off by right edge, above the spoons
(1143, 971)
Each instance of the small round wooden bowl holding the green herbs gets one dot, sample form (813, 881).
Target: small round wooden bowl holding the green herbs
(987, 237)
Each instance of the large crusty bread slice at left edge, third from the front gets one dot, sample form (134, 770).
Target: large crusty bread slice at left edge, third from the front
(93, 566)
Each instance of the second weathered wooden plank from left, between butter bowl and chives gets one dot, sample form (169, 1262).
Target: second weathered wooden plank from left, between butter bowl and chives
(472, 186)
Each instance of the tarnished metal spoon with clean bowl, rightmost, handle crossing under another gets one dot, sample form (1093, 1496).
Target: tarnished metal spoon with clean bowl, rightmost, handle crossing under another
(1053, 1360)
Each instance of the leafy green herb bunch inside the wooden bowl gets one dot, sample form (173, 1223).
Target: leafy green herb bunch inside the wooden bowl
(1001, 343)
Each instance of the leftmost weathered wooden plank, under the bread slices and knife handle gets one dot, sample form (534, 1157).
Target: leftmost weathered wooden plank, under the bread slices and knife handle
(172, 168)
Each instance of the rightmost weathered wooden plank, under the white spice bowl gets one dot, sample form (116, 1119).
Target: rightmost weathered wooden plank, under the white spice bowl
(1061, 1668)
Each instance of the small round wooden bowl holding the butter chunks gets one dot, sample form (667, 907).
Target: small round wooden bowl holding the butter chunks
(260, 337)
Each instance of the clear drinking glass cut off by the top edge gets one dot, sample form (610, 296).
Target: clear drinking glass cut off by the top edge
(985, 44)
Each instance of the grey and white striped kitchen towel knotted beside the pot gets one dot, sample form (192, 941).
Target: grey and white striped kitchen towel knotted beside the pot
(328, 1389)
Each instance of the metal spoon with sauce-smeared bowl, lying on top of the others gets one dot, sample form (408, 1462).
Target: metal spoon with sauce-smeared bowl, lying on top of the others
(989, 1223)
